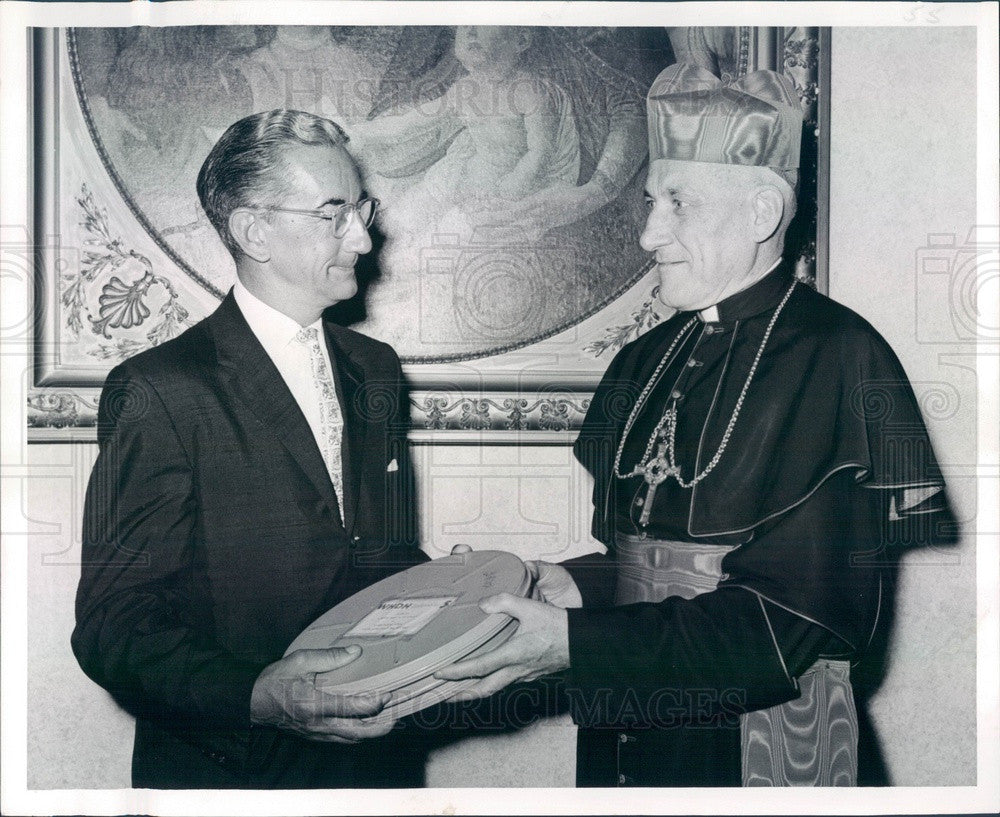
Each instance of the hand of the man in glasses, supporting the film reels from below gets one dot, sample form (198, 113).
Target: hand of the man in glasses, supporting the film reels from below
(289, 694)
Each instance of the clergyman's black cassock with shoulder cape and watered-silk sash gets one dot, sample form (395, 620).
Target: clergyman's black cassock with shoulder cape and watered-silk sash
(783, 549)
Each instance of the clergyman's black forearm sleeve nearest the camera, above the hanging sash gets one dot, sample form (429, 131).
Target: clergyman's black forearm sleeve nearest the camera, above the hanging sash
(686, 662)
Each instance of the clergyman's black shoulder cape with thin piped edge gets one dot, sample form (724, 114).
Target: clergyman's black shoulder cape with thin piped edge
(829, 394)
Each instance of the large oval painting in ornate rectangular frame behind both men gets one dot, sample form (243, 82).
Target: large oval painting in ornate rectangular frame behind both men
(509, 162)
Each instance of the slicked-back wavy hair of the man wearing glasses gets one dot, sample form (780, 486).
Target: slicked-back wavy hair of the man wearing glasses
(246, 168)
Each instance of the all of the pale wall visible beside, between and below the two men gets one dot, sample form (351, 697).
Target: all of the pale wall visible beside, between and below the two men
(903, 168)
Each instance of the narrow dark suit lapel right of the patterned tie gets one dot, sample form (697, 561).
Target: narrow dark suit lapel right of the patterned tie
(349, 376)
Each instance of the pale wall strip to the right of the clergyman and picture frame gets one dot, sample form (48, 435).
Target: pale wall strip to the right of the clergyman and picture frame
(903, 194)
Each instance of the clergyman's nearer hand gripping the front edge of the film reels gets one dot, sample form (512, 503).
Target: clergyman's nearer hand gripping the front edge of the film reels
(539, 647)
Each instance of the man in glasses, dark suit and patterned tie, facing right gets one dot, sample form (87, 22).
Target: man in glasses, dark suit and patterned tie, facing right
(252, 473)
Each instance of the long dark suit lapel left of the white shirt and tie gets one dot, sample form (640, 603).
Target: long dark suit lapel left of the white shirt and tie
(259, 384)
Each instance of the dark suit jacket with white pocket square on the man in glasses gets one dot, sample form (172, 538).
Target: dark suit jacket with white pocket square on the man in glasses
(213, 536)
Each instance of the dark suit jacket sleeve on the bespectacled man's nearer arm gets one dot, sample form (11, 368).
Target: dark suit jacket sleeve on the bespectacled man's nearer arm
(136, 634)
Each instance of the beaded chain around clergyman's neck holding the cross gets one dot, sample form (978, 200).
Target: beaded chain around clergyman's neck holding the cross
(668, 422)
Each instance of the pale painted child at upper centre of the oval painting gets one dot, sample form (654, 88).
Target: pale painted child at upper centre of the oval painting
(496, 136)
